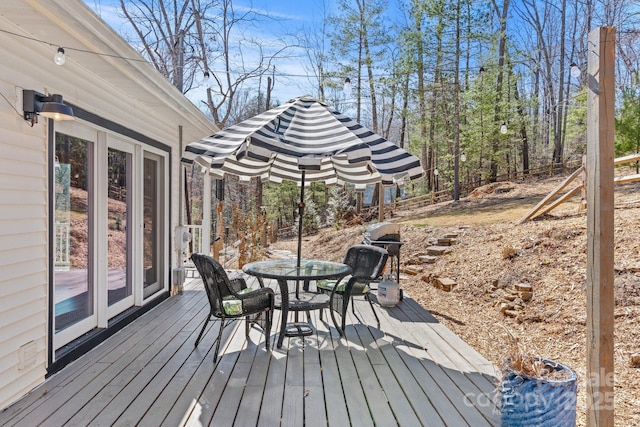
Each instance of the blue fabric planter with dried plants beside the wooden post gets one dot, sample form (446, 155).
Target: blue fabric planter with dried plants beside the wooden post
(546, 401)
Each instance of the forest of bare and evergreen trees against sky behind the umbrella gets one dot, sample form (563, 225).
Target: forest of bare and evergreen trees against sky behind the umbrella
(477, 90)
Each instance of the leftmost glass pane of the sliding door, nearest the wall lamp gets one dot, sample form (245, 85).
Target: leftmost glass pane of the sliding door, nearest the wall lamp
(73, 222)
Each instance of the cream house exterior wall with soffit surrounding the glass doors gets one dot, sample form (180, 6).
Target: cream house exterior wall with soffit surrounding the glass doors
(128, 93)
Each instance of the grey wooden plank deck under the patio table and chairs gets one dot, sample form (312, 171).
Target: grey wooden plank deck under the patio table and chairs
(410, 371)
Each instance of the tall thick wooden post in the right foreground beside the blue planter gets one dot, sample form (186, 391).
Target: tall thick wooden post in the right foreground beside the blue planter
(600, 227)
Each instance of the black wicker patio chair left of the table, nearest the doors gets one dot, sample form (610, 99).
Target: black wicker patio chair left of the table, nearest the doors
(230, 299)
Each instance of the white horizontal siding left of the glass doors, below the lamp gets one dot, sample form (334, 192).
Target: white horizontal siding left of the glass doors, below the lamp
(23, 249)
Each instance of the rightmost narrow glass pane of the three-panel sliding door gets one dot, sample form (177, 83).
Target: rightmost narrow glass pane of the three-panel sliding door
(153, 226)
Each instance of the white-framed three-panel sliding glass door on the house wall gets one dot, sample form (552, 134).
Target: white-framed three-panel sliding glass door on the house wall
(109, 224)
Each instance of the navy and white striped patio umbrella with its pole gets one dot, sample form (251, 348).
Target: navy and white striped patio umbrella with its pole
(303, 140)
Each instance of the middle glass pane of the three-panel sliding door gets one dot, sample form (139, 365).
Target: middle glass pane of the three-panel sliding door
(119, 232)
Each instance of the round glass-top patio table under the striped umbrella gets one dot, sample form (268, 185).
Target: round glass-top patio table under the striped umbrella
(285, 270)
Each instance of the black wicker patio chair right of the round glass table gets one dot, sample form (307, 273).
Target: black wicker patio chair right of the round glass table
(367, 263)
